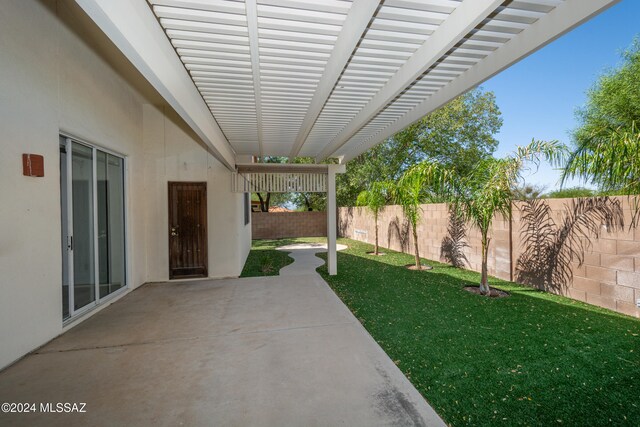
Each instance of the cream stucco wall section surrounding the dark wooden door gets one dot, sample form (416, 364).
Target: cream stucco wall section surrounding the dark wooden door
(172, 155)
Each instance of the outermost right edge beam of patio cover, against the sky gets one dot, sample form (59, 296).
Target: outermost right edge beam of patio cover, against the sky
(565, 17)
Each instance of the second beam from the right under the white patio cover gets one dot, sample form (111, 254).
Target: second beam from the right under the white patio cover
(462, 20)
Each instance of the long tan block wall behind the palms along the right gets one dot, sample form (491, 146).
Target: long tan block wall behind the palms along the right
(609, 275)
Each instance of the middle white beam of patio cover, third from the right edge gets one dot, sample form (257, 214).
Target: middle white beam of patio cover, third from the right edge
(354, 26)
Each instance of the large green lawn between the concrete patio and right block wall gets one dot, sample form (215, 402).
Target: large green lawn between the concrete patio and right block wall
(528, 359)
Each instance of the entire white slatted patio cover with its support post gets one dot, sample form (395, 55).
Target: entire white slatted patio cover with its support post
(322, 78)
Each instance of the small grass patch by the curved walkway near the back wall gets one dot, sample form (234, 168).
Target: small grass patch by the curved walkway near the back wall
(265, 260)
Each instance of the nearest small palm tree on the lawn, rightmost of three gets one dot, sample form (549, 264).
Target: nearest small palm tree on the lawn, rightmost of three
(487, 190)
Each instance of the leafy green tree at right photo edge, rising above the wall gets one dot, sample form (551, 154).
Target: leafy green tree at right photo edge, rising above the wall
(607, 141)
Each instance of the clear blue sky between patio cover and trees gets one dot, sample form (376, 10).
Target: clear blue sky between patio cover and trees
(539, 95)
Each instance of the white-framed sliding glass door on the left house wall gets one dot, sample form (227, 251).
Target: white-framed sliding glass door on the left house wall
(93, 225)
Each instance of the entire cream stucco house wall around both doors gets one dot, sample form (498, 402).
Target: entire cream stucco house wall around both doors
(59, 73)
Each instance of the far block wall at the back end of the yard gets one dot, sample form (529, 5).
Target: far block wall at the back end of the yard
(276, 225)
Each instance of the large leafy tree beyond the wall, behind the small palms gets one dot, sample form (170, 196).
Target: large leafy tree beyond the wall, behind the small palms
(458, 135)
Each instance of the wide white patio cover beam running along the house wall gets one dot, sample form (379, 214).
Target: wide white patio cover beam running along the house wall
(134, 30)
